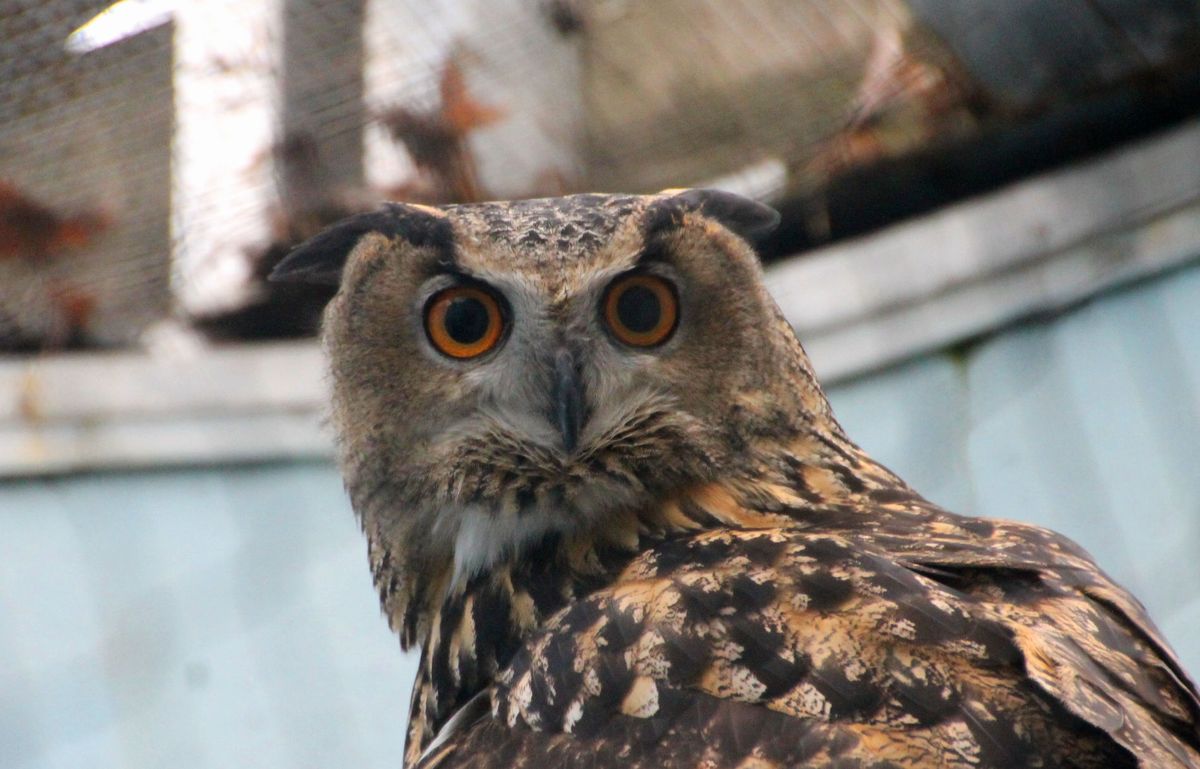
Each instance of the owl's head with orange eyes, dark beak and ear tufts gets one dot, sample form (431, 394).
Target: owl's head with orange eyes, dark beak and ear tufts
(503, 371)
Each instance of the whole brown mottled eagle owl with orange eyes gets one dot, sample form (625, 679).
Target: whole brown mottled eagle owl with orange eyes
(607, 497)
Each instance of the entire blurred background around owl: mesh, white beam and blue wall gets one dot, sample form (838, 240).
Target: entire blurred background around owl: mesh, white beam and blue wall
(991, 248)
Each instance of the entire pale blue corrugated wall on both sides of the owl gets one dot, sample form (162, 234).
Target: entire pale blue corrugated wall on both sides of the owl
(225, 617)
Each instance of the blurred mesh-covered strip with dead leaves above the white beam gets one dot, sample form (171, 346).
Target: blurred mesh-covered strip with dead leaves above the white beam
(158, 158)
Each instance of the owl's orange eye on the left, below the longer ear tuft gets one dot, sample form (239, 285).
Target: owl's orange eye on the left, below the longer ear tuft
(464, 322)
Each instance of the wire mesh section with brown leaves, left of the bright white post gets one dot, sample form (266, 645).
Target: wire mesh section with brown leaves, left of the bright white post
(85, 181)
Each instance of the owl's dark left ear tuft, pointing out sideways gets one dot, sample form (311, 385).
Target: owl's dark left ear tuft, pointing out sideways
(322, 259)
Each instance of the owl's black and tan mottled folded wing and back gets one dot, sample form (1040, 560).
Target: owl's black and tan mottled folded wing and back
(725, 640)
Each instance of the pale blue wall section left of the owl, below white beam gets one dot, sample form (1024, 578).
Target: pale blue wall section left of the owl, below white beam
(201, 618)
